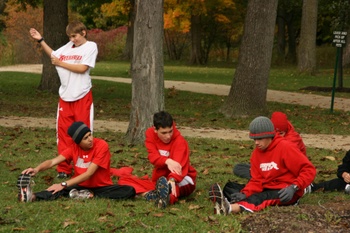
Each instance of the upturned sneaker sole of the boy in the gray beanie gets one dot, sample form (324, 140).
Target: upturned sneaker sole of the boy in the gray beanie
(221, 204)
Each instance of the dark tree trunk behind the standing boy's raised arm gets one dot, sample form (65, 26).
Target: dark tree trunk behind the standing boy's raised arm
(55, 23)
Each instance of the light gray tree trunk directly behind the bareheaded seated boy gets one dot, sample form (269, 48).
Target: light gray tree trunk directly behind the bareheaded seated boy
(146, 68)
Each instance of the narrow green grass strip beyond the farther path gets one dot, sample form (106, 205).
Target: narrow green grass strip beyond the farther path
(284, 79)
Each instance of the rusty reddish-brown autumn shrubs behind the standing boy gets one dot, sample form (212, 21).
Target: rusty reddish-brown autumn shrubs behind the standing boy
(18, 47)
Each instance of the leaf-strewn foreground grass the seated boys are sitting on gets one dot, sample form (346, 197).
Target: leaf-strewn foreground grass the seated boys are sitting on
(213, 159)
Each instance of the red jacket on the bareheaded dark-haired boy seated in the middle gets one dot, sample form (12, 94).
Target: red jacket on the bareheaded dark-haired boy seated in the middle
(159, 152)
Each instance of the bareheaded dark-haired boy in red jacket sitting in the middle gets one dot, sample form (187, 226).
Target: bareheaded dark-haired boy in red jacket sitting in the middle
(168, 151)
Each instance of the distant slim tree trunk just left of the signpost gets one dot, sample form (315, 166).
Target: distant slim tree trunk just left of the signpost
(307, 45)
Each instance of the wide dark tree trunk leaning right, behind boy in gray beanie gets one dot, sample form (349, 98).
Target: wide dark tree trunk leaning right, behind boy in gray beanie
(248, 91)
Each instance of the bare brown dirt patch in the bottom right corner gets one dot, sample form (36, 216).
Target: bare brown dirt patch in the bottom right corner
(328, 217)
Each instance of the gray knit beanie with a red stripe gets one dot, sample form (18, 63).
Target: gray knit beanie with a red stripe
(261, 127)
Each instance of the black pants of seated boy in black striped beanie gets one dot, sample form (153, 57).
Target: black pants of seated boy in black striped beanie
(111, 192)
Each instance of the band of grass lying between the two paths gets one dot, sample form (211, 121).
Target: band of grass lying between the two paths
(20, 97)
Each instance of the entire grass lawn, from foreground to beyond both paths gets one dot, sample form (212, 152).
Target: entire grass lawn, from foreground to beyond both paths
(213, 159)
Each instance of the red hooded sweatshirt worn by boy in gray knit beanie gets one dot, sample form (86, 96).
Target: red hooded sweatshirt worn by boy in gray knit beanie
(279, 166)
